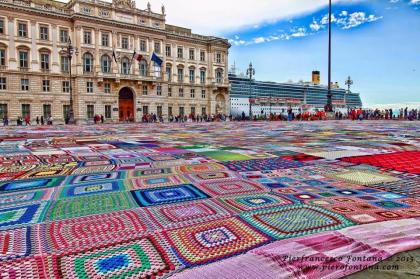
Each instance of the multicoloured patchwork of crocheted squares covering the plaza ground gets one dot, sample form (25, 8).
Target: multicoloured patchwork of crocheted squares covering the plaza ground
(147, 201)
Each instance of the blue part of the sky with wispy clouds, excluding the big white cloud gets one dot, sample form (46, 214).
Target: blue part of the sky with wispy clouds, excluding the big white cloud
(376, 42)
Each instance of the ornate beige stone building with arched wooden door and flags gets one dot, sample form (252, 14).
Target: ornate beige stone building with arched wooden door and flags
(108, 78)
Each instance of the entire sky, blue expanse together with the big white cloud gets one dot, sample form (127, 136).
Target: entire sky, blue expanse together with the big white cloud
(376, 42)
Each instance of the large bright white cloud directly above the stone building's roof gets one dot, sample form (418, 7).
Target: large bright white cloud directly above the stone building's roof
(221, 16)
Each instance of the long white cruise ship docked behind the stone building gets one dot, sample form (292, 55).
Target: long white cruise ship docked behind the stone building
(272, 97)
